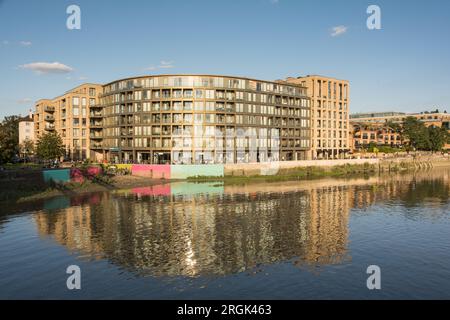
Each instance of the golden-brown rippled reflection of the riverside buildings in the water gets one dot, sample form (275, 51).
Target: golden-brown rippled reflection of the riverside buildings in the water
(212, 229)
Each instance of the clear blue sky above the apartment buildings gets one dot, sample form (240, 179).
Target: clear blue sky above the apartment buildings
(404, 67)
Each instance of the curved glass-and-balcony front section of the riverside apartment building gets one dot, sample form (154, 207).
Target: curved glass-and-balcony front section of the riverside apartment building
(197, 119)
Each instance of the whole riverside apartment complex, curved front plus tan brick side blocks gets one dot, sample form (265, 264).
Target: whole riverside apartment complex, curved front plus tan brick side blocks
(196, 119)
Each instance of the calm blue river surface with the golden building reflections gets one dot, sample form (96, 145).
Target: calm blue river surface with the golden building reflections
(289, 240)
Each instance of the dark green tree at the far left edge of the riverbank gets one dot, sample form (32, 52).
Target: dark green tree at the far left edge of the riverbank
(9, 138)
